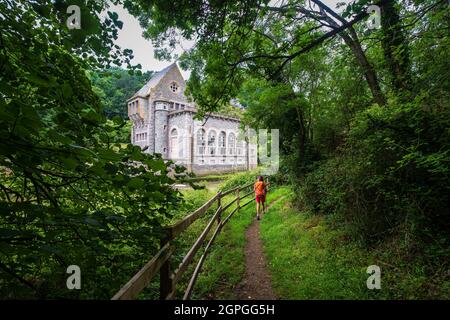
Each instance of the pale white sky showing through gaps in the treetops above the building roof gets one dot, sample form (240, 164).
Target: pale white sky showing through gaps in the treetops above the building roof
(130, 37)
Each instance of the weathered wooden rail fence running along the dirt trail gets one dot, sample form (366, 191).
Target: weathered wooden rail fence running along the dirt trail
(161, 261)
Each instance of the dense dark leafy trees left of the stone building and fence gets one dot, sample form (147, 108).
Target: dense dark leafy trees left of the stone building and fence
(69, 192)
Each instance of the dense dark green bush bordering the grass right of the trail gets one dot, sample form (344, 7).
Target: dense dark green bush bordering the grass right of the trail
(392, 176)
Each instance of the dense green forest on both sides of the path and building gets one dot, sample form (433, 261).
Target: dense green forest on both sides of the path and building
(363, 114)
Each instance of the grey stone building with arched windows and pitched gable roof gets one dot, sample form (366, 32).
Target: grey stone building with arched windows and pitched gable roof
(163, 122)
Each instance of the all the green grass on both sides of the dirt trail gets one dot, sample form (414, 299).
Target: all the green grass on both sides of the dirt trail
(309, 257)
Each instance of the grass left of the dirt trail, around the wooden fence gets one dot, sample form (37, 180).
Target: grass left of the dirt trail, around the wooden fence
(232, 237)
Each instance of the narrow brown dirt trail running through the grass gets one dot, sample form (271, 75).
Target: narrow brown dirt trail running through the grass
(257, 283)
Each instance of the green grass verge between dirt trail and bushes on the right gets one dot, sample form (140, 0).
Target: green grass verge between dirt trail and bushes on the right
(310, 257)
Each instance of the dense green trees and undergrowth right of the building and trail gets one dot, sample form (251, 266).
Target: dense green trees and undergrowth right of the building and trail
(363, 115)
